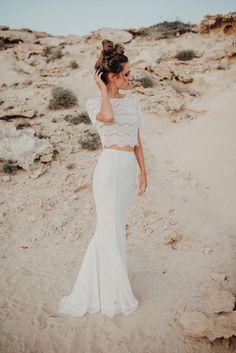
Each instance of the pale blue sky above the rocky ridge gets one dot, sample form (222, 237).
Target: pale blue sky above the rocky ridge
(80, 17)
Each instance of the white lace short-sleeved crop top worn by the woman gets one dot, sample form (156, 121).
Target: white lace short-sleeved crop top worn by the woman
(128, 117)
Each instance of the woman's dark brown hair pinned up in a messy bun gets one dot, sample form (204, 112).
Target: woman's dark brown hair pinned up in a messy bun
(111, 59)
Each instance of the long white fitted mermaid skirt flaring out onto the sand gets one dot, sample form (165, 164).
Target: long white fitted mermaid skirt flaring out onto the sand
(102, 283)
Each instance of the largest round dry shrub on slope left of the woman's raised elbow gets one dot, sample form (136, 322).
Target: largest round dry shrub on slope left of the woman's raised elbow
(63, 98)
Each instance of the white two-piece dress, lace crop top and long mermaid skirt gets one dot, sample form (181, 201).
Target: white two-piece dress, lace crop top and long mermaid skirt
(102, 283)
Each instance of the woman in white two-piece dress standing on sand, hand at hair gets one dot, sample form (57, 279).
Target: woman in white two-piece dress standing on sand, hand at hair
(102, 283)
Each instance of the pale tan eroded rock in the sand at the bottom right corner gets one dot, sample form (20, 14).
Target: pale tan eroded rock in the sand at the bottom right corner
(209, 314)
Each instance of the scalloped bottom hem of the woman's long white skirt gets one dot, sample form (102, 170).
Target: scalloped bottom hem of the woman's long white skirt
(104, 311)
